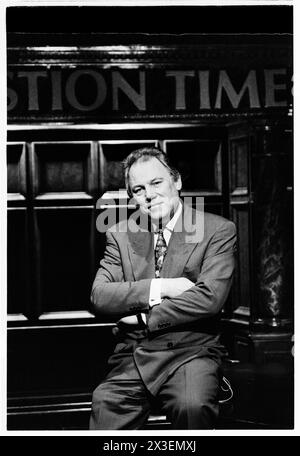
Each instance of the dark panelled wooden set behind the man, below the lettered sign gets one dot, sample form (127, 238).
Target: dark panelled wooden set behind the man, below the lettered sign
(57, 349)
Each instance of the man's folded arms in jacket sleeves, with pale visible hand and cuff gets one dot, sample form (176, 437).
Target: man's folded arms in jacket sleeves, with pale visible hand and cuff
(182, 300)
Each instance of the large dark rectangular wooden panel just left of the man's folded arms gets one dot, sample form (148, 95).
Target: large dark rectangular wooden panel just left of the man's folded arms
(65, 260)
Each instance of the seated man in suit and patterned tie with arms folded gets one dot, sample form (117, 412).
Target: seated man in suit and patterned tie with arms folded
(166, 287)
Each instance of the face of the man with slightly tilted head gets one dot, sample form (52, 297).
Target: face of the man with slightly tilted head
(154, 189)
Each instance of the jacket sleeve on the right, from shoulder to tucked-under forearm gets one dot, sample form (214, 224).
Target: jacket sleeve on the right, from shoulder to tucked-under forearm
(206, 298)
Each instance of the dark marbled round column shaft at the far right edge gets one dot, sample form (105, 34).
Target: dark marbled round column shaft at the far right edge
(272, 219)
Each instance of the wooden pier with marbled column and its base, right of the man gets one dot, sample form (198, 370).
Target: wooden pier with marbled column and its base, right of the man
(261, 205)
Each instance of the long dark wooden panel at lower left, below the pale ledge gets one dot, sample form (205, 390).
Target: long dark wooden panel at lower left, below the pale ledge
(51, 361)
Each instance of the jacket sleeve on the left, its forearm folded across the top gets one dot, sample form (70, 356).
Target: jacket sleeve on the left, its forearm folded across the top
(111, 295)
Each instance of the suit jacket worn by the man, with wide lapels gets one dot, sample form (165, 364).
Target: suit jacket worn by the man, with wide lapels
(178, 329)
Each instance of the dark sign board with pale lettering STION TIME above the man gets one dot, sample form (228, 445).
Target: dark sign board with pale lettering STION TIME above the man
(98, 92)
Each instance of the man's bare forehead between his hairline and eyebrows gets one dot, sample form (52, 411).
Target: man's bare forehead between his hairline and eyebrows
(144, 171)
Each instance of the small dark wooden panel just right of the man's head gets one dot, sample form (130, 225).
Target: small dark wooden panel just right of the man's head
(199, 163)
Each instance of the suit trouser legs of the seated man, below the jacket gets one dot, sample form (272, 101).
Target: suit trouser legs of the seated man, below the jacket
(189, 398)
